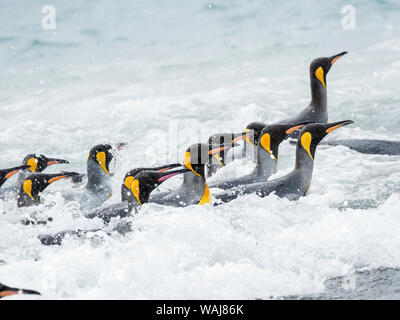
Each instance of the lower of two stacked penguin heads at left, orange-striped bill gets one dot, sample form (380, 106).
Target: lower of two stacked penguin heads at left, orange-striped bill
(34, 185)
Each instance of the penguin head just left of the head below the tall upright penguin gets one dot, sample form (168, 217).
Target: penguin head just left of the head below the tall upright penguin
(271, 136)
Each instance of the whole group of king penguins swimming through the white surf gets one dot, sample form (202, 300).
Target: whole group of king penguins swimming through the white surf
(200, 161)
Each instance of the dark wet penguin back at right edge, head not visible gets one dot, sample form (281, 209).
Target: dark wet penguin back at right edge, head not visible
(369, 146)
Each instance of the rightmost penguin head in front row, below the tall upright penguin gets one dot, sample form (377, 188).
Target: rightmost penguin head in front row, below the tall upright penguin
(312, 134)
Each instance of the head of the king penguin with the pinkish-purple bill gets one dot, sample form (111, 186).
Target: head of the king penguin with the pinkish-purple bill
(145, 182)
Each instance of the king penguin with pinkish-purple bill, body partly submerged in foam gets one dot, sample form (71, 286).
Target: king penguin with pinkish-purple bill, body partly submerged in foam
(143, 183)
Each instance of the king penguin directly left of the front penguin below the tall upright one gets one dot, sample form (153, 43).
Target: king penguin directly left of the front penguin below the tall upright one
(267, 156)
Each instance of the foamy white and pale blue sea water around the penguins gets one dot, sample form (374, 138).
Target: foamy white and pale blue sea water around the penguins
(162, 75)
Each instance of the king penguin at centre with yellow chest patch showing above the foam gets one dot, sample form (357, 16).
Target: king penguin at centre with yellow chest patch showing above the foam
(194, 189)
